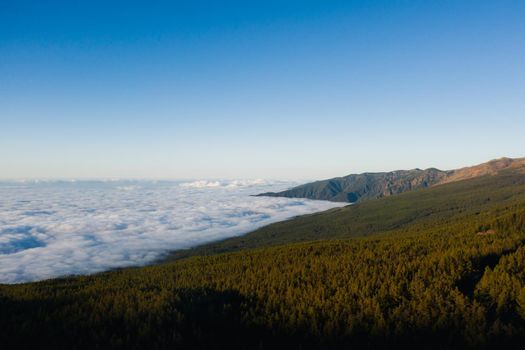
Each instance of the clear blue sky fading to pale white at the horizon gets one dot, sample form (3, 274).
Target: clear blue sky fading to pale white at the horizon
(257, 89)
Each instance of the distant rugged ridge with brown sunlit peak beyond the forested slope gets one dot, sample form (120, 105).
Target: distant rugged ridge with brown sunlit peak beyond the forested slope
(359, 187)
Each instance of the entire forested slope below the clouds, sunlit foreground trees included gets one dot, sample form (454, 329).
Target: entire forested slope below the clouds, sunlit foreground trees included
(437, 268)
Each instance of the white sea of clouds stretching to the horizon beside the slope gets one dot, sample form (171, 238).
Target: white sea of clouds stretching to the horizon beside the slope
(51, 229)
